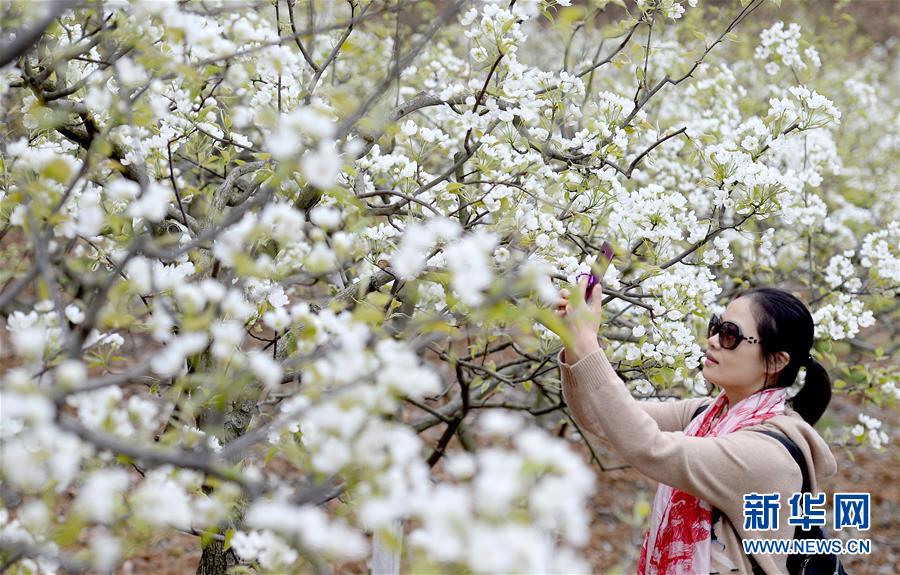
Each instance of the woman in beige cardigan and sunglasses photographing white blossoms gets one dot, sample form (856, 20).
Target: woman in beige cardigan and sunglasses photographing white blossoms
(711, 459)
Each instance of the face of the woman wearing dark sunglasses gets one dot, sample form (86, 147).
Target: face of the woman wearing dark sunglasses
(740, 371)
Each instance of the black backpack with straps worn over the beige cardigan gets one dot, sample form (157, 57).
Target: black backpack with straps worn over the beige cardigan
(797, 564)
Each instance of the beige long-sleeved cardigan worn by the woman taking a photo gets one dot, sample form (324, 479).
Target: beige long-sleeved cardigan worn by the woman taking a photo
(719, 470)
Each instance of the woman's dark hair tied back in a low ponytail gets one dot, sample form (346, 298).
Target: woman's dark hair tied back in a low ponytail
(785, 324)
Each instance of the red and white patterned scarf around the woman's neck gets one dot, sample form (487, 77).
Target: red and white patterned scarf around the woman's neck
(678, 541)
